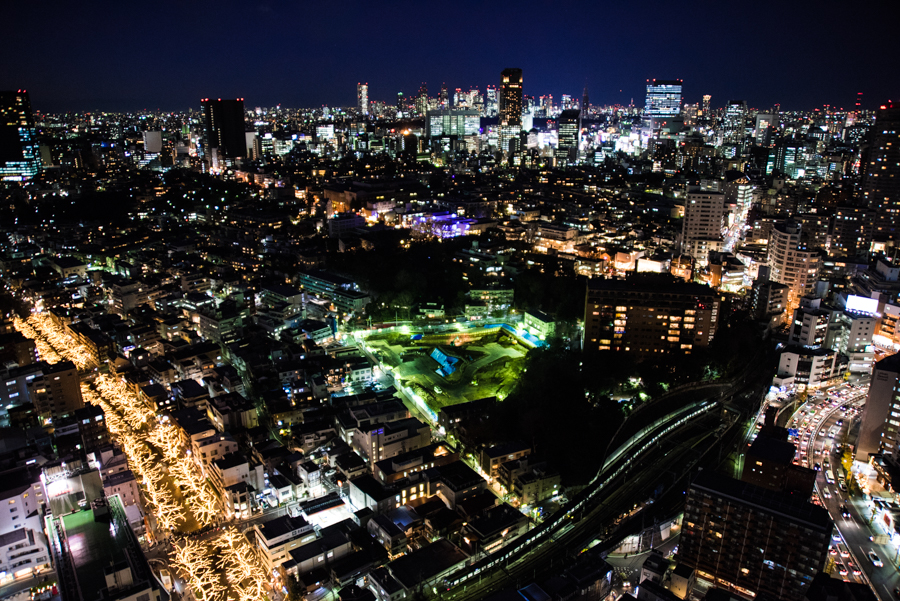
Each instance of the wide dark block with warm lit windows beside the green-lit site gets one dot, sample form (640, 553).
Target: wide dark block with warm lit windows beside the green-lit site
(649, 315)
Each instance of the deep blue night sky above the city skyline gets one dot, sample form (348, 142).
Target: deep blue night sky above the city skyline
(127, 55)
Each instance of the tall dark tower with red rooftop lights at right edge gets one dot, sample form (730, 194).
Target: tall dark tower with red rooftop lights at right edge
(881, 179)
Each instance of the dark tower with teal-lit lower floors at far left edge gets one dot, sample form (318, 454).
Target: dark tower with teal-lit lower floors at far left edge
(19, 156)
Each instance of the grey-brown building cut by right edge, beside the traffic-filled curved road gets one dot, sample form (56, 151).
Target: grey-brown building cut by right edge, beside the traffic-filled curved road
(880, 425)
